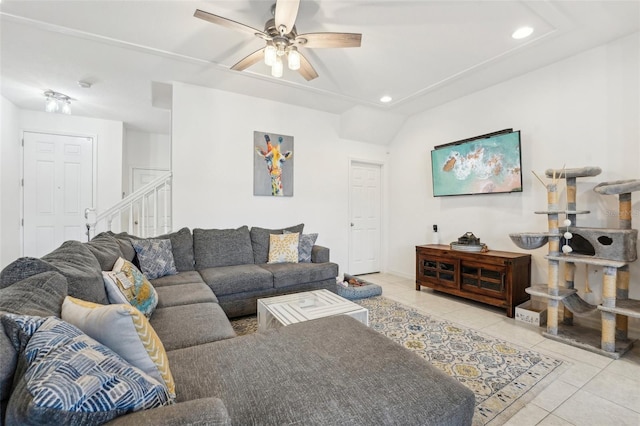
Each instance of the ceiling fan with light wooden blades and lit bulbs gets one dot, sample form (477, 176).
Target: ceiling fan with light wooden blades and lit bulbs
(282, 39)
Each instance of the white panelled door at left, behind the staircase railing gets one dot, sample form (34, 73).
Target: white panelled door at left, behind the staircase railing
(58, 186)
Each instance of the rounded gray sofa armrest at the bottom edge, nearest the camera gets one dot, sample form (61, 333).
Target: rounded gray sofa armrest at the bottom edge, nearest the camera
(204, 411)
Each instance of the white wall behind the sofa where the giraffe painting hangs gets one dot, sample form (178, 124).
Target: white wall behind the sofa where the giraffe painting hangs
(213, 154)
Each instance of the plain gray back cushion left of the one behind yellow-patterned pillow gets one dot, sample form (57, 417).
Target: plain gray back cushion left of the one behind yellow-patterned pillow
(222, 247)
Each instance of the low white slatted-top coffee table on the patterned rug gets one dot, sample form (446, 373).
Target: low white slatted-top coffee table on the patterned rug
(279, 311)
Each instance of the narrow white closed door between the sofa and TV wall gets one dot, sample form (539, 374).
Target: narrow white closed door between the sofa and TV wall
(365, 211)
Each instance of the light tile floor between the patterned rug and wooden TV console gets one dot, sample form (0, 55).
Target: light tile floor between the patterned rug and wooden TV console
(595, 390)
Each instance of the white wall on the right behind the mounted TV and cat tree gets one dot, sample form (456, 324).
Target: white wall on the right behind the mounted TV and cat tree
(582, 111)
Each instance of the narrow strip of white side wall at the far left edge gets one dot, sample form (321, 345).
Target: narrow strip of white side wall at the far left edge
(10, 160)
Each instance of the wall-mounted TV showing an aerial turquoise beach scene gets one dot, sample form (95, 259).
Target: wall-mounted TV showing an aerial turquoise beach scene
(485, 164)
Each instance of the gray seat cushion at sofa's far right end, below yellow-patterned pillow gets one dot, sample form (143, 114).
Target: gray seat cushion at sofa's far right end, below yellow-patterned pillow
(286, 274)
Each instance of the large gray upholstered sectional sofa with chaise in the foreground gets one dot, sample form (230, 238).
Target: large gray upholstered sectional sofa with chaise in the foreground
(333, 371)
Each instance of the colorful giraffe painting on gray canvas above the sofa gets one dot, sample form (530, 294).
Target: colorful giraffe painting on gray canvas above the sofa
(273, 164)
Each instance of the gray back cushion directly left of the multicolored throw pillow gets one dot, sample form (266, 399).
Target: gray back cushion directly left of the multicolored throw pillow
(75, 261)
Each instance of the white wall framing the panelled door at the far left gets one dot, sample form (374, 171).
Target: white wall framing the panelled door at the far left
(108, 140)
